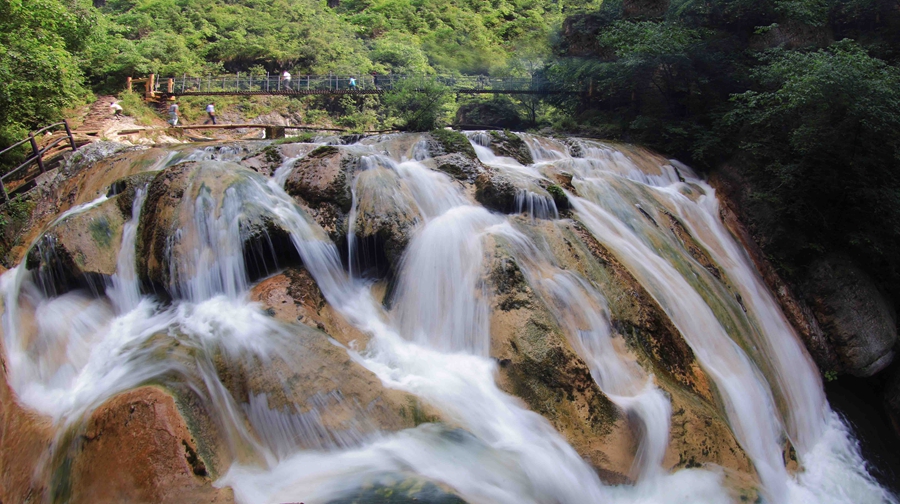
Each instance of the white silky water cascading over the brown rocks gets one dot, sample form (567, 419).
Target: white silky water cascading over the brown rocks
(68, 353)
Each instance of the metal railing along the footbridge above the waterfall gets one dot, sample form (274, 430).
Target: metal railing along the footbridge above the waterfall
(273, 83)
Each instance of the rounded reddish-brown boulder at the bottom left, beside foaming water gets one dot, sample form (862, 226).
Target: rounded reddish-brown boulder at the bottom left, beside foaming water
(161, 462)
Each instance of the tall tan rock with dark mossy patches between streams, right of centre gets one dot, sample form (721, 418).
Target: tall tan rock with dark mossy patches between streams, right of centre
(538, 364)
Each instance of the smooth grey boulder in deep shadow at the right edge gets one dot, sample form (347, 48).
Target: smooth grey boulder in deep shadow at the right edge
(857, 319)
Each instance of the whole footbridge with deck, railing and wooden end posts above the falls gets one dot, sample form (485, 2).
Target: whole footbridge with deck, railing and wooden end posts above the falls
(245, 84)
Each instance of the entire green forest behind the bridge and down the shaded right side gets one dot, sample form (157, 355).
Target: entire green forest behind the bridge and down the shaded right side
(798, 100)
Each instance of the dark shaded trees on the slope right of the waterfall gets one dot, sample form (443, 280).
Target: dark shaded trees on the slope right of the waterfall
(800, 99)
